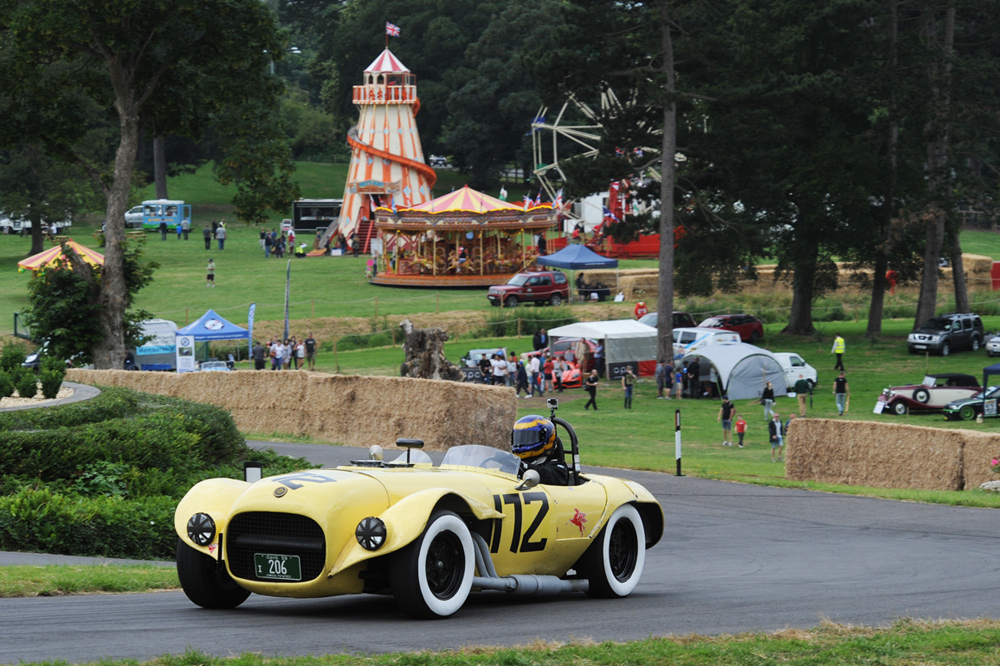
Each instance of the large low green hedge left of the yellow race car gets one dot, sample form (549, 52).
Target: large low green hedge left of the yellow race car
(102, 477)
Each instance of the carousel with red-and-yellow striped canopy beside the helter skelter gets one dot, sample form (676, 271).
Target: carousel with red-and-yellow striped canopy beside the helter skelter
(463, 239)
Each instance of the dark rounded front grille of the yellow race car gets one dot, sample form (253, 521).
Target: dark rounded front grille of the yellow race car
(276, 534)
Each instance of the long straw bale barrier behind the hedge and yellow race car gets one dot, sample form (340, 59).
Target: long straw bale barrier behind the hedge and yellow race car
(354, 410)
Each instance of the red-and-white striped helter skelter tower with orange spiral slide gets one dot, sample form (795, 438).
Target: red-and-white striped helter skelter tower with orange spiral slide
(387, 160)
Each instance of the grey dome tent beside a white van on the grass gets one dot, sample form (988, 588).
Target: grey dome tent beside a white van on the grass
(742, 369)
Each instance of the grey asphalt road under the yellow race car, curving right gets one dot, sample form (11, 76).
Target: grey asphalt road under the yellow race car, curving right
(734, 558)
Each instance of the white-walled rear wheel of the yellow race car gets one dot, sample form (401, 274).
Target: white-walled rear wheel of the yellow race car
(614, 562)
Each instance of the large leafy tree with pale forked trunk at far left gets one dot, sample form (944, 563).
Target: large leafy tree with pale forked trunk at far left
(122, 53)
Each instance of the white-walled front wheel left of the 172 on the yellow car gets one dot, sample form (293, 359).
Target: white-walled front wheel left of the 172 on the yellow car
(432, 577)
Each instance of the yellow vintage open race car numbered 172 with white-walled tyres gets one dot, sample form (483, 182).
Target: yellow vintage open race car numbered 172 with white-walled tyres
(429, 535)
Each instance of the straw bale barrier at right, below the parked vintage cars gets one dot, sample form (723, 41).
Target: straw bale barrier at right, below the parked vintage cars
(889, 455)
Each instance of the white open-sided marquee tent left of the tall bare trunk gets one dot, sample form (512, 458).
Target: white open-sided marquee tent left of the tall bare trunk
(625, 341)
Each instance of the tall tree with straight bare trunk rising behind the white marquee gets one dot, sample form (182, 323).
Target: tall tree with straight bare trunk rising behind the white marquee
(626, 47)
